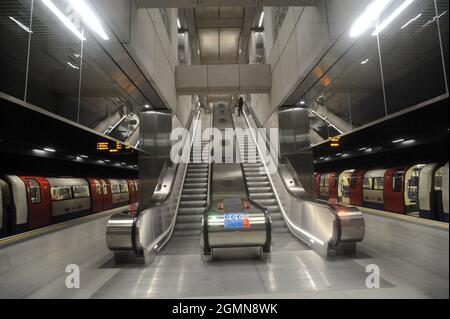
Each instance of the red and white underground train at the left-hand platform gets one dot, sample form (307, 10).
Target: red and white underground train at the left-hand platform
(32, 202)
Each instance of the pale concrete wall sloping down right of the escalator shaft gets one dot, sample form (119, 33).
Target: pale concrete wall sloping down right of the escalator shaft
(306, 35)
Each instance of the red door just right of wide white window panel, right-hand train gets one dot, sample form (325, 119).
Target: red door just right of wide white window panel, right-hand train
(393, 190)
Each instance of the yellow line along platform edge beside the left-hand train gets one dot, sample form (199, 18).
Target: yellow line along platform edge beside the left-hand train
(52, 228)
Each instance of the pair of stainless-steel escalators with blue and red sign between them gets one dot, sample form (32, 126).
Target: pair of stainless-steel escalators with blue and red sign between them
(207, 208)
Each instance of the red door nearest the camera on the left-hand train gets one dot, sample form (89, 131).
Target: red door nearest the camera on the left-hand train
(39, 202)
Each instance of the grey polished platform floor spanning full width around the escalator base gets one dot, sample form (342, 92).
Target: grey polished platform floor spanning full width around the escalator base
(413, 261)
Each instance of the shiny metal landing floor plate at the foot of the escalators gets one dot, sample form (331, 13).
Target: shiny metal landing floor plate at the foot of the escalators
(291, 268)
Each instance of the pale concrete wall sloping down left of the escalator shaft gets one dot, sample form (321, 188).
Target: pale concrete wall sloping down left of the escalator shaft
(152, 46)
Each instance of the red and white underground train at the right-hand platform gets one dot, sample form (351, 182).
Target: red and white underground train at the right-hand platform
(421, 188)
